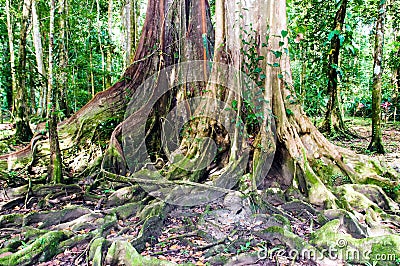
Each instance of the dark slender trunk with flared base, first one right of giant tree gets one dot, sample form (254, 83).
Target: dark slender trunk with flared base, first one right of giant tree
(334, 121)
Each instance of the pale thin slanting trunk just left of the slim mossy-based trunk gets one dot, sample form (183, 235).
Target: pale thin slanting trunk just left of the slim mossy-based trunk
(37, 42)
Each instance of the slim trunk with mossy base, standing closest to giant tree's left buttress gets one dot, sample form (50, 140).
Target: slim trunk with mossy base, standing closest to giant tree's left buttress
(55, 167)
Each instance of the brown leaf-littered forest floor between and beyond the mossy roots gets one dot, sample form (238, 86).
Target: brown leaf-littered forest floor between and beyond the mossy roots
(204, 235)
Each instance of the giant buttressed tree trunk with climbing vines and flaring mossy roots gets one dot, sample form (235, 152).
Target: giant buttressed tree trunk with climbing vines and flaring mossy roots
(252, 41)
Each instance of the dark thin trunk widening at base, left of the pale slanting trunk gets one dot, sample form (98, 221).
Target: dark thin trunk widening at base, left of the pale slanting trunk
(23, 130)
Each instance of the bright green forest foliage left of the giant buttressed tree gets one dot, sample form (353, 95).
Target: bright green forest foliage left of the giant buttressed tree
(84, 42)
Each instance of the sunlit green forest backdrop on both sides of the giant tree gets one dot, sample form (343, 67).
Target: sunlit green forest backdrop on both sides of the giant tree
(101, 28)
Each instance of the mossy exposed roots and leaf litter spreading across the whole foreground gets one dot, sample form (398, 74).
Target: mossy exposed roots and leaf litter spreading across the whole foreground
(128, 227)
